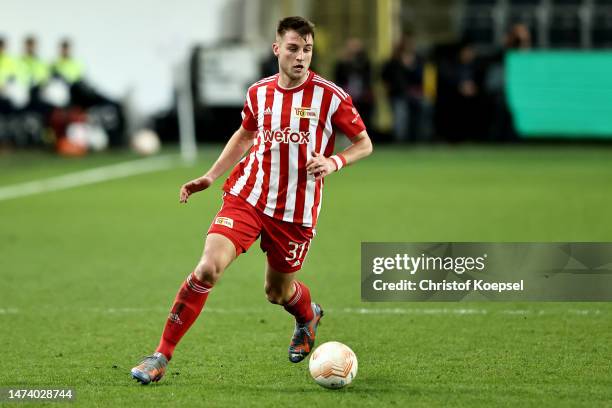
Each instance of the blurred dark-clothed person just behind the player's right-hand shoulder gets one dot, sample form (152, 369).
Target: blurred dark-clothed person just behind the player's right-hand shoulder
(353, 73)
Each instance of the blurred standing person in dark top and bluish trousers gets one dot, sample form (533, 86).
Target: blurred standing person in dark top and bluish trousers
(403, 77)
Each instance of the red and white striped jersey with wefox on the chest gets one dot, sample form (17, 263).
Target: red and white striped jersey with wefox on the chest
(290, 124)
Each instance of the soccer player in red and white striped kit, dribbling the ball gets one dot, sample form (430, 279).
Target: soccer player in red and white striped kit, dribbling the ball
(274, 192)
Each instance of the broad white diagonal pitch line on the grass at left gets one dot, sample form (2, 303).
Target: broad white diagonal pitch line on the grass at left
(91, 176)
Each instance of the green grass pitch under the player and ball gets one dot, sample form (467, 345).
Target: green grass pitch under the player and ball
(88, 275)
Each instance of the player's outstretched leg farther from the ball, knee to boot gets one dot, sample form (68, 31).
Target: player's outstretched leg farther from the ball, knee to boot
(219, 252)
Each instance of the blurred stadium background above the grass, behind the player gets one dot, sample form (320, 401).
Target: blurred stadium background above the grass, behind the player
(76, 79)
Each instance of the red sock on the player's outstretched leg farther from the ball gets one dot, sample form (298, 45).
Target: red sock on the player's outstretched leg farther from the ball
(185, 310)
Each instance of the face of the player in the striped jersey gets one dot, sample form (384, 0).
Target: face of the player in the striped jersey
(294, 54)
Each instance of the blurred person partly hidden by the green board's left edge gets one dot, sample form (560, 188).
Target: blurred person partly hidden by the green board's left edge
(502, 126)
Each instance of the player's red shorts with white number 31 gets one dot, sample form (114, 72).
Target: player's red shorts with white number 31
(285, 244)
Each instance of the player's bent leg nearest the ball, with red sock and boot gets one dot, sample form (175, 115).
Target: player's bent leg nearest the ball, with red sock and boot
(283, 289)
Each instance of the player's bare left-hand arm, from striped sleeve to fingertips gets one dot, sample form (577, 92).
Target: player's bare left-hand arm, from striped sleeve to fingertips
(240, 142)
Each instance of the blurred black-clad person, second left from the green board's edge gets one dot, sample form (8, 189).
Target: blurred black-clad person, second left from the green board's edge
(459, 107)
